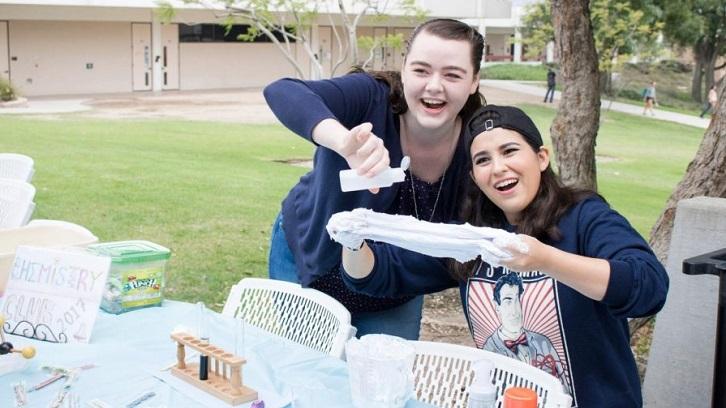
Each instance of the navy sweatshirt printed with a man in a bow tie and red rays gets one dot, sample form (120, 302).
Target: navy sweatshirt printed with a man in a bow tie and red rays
(583, 342)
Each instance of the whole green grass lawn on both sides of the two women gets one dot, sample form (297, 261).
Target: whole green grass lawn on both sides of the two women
(210, 191)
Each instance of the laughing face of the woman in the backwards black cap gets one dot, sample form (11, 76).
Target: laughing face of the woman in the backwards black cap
(507, 170)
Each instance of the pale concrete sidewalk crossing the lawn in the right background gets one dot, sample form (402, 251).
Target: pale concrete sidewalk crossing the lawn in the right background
(534, 90)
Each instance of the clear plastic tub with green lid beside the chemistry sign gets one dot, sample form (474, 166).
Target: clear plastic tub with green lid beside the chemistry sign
(137, 276)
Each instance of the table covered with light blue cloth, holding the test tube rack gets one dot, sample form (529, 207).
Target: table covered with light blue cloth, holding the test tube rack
(131, 350)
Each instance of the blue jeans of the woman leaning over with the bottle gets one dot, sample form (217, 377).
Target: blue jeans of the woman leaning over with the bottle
(403, 321)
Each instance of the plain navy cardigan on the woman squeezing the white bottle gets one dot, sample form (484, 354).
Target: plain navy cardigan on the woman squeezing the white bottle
(350, 99)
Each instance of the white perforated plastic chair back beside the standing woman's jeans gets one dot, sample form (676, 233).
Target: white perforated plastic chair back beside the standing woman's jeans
(305, 316)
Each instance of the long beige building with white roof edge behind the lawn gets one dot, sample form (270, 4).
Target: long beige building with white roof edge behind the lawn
(62, 47)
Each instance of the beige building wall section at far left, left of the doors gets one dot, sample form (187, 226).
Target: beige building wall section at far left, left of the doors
(52, 57)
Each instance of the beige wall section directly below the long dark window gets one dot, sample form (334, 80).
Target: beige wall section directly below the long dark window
(230, 65)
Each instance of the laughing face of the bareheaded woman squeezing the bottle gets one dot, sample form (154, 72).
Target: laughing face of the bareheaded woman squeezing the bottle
(437, 78)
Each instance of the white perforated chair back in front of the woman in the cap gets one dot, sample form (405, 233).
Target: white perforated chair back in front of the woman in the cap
(443, 373)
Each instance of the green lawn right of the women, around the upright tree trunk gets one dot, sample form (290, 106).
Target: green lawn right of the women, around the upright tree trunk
(639, 161)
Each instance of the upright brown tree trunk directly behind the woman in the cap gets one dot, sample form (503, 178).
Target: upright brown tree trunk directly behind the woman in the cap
(575, 126)
